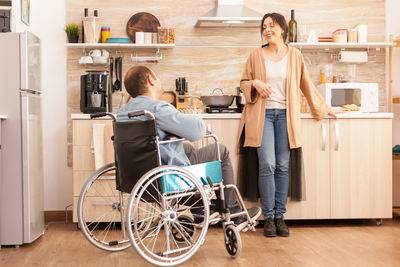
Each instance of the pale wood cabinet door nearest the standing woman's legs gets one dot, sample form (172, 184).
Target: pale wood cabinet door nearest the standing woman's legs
(315, 136)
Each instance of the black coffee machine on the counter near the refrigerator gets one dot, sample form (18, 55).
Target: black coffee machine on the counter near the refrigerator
(95, 92)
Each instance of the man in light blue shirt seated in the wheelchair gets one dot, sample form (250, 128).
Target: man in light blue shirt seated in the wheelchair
(145, 89)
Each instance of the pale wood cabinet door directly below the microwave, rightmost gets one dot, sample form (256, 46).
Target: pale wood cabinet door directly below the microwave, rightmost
(361, 167)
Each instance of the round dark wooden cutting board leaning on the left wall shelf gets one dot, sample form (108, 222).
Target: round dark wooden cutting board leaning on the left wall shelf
(141, 22)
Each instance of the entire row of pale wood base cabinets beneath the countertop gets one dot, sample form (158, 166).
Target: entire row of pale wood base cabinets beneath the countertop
(347, 163)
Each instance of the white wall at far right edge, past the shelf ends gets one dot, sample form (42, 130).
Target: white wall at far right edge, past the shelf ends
(393, 27)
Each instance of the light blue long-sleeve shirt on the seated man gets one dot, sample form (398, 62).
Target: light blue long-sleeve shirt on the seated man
(169, 121)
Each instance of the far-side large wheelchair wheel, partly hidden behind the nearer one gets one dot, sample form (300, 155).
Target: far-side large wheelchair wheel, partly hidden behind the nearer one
(101, 210)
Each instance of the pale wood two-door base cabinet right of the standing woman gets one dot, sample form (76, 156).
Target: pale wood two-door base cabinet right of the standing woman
(347, 168)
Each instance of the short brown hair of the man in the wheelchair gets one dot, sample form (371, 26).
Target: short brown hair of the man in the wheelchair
(136, 80)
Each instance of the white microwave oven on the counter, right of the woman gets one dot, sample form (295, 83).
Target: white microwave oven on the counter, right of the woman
(364, 95)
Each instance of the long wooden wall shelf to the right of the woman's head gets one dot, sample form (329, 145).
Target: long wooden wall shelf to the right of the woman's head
(328, 46)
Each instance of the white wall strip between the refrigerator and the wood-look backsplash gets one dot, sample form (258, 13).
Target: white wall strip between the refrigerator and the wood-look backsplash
(47, 20)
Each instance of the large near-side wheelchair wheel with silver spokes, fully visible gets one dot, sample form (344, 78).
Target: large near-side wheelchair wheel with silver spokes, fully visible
(180, 220)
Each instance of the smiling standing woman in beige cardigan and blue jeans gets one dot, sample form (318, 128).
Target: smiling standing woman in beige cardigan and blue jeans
(271, 82)
